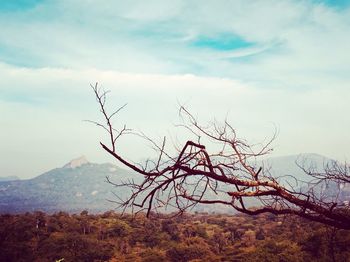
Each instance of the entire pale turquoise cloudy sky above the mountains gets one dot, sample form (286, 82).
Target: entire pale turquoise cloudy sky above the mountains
(264, 65)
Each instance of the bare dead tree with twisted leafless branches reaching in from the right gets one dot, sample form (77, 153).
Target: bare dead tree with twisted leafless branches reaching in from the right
(231, 175)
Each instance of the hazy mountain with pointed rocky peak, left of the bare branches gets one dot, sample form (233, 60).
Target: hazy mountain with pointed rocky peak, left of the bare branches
(77, 186)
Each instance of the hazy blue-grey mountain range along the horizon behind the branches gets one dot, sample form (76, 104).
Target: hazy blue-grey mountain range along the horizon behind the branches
(81, 185)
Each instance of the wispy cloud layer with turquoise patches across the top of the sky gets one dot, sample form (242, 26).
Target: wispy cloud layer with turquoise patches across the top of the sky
(182, 37)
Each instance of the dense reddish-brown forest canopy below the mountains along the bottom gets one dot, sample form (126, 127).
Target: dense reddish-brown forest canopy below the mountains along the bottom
(200, 237)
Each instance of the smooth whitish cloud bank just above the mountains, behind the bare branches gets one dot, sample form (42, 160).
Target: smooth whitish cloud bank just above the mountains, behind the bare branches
(52, 129)
